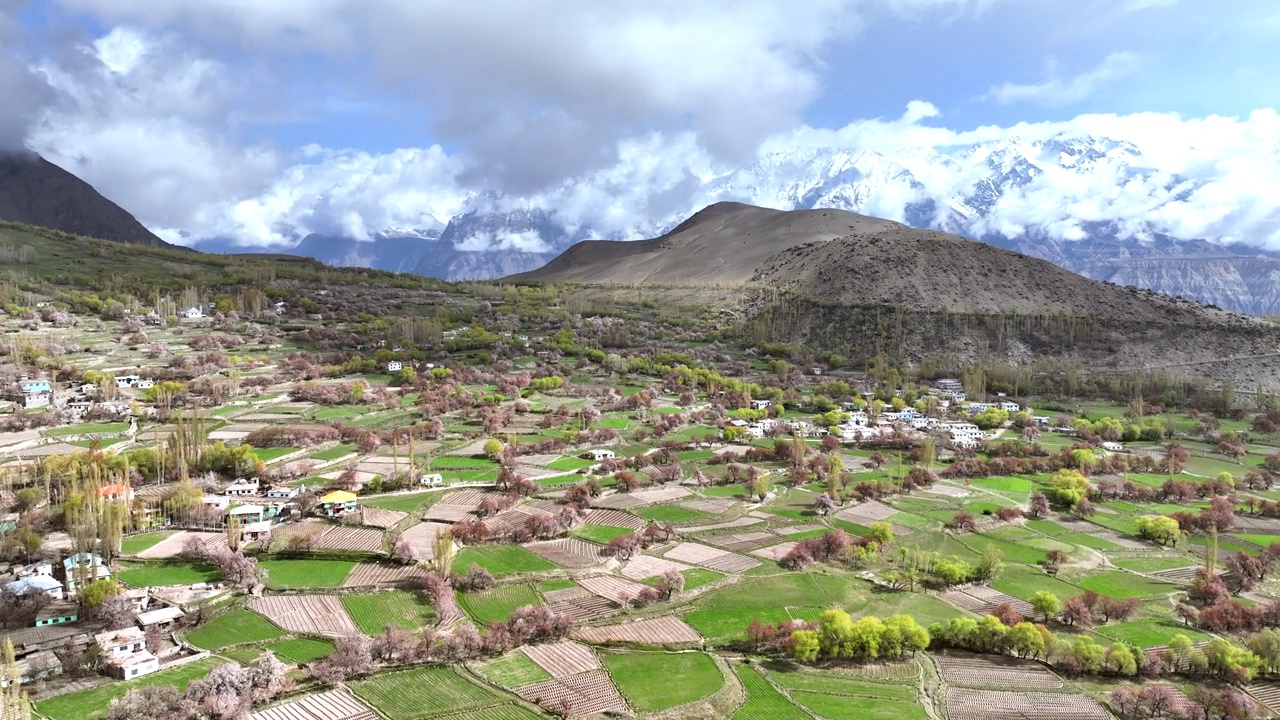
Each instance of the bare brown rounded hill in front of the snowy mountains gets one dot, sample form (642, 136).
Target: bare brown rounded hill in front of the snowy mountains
(849, 259)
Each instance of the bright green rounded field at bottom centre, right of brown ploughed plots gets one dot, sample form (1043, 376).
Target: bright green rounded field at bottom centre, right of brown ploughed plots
(639, 678)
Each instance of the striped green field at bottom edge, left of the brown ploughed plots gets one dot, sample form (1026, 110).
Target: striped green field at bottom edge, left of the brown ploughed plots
(423, 692)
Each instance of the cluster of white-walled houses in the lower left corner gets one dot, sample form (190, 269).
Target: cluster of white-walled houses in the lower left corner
(125, 653)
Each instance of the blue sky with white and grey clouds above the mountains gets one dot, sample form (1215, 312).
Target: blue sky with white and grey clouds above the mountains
(264, 121)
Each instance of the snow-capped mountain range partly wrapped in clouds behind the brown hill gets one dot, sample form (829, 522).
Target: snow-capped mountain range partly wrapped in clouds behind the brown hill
(1094, 206)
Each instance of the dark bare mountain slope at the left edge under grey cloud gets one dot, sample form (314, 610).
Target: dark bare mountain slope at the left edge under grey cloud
(38, 193)
